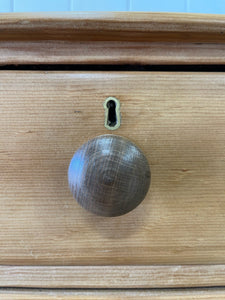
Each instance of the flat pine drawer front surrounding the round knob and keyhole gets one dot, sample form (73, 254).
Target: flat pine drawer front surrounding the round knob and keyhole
(177, 119)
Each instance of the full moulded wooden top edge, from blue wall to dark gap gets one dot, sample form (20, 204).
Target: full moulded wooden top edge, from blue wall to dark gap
(111, 38)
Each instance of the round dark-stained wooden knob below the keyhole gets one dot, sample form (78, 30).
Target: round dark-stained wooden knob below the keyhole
(109, 175)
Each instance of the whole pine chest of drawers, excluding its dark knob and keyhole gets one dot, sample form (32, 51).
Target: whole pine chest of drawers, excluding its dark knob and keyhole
(167, 72)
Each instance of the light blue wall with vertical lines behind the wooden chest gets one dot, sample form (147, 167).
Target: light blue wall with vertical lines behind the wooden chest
(195, 6)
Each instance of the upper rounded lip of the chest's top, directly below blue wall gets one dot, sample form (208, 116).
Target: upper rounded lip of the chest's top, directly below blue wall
(113, 26)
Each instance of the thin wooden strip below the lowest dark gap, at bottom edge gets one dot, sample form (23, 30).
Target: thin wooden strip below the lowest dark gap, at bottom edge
(210, 294)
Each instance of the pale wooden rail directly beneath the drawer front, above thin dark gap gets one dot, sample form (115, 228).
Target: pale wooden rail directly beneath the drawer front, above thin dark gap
(132, 277)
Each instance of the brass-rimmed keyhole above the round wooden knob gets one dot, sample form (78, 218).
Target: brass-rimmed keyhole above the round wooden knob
(112, 113)
